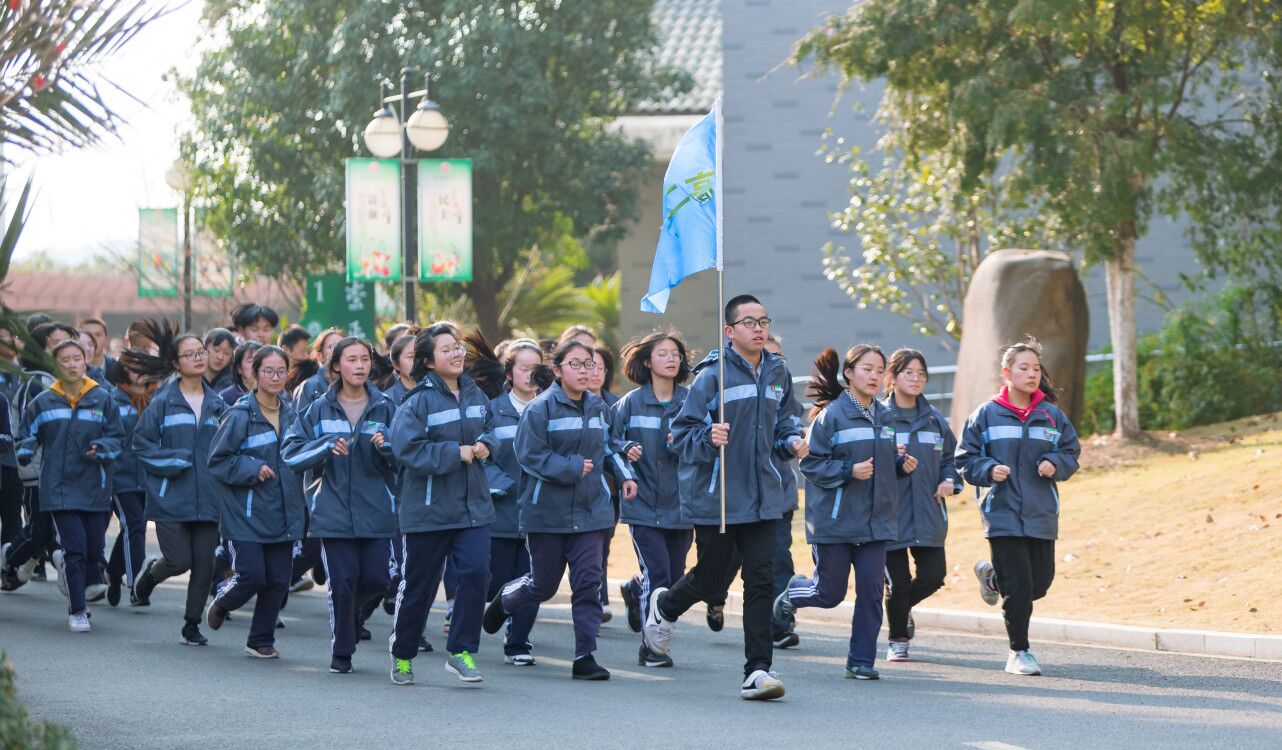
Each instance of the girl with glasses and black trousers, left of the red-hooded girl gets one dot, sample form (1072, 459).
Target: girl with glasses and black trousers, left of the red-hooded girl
(929, 478)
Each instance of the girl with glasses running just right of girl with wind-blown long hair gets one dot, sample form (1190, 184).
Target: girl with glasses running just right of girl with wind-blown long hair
(262, 503)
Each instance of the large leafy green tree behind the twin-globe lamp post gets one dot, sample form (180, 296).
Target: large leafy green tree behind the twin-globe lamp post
(530, 88)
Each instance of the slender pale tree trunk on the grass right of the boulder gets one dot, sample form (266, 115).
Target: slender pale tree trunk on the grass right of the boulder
(1120, 275)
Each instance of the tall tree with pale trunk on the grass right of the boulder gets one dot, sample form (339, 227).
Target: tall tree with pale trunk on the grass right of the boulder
(1097, 107)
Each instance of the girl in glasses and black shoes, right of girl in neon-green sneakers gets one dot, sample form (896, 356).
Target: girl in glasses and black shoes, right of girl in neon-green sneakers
(563, 447)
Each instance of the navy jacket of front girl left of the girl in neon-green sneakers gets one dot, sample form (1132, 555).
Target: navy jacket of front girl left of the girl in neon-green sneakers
(353, 496)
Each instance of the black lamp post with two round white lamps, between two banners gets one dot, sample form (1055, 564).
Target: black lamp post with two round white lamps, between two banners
(393, 134)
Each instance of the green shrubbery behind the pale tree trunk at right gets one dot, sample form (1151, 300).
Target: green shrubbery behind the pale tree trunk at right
(1216, 361)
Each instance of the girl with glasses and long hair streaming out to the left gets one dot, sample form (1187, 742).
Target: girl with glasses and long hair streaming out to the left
(172, 443)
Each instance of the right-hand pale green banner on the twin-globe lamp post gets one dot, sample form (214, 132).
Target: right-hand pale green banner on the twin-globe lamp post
(444, 220)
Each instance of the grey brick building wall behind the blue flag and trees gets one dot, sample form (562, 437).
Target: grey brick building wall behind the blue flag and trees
(779, 196)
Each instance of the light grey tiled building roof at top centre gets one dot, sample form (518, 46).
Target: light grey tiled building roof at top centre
(690, 39)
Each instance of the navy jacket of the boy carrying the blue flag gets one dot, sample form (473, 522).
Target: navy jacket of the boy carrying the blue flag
(758, 411)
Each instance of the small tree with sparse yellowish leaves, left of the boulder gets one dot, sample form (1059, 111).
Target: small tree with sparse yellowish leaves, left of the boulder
(921, 234)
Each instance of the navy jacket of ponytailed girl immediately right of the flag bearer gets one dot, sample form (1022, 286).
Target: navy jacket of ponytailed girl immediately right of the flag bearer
(839, 508)
